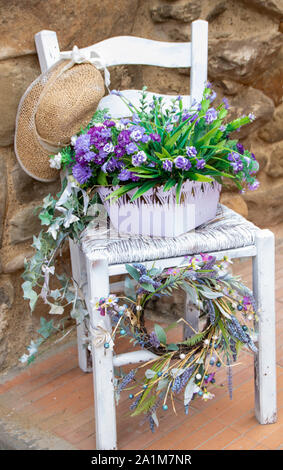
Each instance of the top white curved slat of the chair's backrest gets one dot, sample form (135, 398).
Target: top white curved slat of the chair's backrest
(123, 50)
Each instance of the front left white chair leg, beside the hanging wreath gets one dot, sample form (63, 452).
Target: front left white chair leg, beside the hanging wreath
(102, 359)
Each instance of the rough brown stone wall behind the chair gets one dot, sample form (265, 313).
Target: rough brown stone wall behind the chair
(245, 64)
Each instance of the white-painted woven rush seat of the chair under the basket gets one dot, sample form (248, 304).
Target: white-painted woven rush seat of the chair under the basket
(227, 231)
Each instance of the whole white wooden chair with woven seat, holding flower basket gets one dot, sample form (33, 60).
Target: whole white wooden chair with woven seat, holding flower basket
(93, 262)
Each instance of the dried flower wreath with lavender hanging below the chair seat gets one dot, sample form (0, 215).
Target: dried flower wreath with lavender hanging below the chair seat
(227, 309)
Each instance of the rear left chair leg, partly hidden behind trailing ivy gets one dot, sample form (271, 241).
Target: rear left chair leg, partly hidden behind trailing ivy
(78, 272)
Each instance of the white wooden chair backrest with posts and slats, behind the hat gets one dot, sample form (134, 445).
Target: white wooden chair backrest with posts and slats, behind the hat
(125, 50)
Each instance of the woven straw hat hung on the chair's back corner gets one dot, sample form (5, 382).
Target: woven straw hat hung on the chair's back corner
(54, 108)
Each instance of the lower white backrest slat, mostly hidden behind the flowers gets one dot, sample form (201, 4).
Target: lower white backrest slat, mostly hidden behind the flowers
(119, 109)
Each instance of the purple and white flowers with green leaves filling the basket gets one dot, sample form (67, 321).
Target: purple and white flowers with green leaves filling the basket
(159, 146)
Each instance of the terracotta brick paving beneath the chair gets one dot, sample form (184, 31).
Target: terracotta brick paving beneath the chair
(53, 396)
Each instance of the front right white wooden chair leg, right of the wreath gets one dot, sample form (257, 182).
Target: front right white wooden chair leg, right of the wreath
(265, 360)
